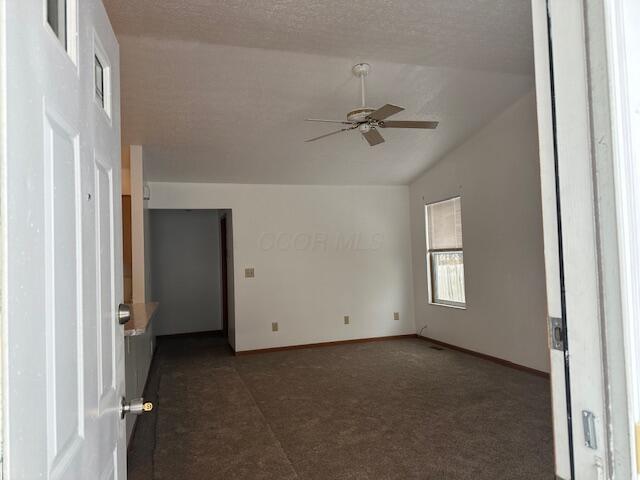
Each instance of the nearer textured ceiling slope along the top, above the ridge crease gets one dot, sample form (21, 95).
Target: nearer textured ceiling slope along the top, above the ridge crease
(474, 34)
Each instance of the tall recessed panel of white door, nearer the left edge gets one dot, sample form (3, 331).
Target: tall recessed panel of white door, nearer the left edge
(63, 300)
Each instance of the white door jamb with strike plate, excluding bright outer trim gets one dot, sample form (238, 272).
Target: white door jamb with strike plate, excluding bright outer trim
(578, 93)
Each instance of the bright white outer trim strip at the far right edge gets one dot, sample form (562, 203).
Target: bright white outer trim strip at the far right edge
(624, 90)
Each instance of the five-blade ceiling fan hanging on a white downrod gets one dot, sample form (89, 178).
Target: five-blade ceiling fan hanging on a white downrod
(368, 120)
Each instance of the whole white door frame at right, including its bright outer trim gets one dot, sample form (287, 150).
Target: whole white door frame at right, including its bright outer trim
(596, 178)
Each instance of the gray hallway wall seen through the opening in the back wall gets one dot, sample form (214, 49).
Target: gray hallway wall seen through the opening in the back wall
(185, 270)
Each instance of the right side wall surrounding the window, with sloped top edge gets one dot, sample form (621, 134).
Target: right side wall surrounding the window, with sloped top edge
(497, 174)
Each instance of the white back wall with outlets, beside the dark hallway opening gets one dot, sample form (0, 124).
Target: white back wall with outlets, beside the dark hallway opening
(319, 253)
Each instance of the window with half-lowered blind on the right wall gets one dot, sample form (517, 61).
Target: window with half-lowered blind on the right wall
(443, 222)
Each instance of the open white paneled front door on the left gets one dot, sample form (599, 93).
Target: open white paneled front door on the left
(64, 374)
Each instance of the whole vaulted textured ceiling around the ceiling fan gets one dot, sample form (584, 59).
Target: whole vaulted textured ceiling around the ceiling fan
(218, 91)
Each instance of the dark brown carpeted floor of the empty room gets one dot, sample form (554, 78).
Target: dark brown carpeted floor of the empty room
(384, 410)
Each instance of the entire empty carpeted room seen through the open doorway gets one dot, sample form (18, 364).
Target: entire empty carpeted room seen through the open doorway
(427, 235)
